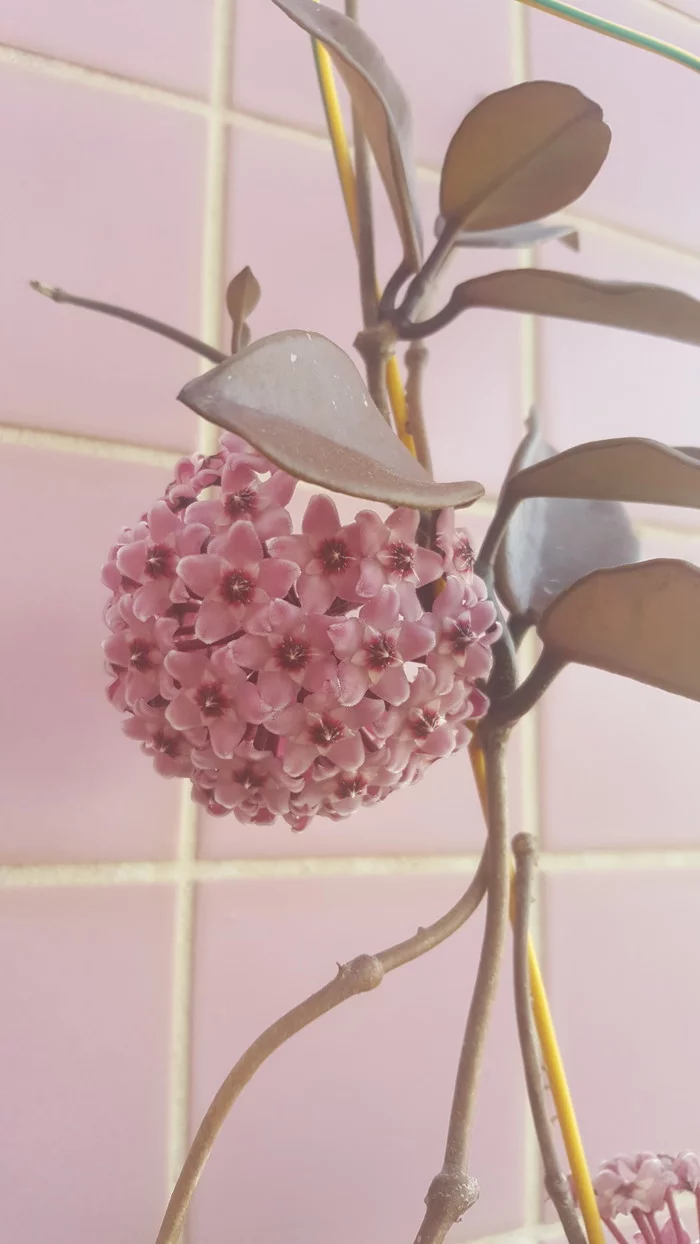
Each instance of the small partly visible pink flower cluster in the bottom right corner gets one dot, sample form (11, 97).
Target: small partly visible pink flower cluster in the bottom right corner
(643, 1186)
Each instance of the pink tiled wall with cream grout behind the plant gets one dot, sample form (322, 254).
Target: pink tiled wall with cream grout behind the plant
(150, 149)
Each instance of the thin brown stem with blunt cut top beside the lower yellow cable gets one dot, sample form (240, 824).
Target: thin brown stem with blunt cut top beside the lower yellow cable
(555, 1180)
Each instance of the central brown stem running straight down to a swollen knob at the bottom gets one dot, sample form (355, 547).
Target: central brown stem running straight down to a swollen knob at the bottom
(453, 1191)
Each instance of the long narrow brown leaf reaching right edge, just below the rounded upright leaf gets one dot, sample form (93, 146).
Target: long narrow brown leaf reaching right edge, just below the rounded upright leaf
(652, 309)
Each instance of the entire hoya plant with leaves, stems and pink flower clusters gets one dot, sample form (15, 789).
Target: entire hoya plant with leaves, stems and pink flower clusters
(308, 674)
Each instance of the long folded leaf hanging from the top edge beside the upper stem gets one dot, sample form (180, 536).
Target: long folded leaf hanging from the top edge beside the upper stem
(381, 105)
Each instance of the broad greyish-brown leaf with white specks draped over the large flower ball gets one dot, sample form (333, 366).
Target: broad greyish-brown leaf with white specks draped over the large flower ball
(302, 401)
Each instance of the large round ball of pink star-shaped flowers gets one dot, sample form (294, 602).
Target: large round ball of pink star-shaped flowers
(292, 675)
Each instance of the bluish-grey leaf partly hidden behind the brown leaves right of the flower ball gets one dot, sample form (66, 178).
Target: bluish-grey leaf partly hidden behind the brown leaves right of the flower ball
(551, 543)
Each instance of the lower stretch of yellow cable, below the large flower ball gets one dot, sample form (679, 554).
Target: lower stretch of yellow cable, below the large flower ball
(553, 1059)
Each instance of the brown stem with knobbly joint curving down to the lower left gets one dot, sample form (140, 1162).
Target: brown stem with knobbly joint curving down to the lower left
(364, 973)
